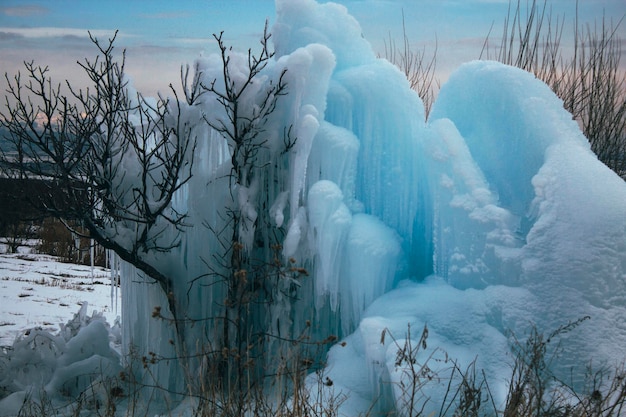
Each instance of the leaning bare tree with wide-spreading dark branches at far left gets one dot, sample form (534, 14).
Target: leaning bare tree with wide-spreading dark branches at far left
(111, 160)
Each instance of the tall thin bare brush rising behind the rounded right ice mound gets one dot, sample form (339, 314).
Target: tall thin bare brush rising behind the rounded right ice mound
(589, 80)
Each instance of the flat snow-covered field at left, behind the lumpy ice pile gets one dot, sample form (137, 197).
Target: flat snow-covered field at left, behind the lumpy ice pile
(40, 291)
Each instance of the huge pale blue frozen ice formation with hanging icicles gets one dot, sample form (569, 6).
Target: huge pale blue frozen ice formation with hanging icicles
(491, 217)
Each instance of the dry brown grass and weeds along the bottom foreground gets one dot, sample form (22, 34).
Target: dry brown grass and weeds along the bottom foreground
(534, 390)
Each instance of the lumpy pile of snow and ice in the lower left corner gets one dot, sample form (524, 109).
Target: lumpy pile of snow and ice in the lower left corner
(42, 366)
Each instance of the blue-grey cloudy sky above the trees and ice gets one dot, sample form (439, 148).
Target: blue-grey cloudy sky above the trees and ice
(160, 35)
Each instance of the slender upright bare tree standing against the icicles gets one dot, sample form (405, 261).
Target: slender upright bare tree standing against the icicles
(250, 267)
